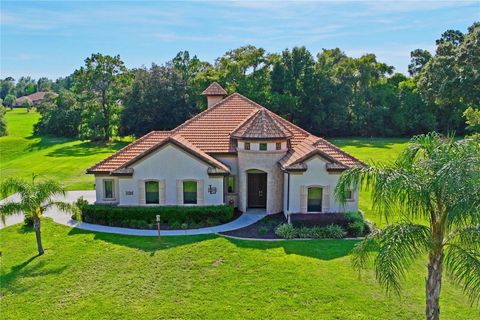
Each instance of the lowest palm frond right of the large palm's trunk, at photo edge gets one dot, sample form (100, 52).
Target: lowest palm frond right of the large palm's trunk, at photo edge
(463, 266)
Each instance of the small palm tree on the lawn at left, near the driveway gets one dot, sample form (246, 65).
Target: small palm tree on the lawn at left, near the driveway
(35, 199)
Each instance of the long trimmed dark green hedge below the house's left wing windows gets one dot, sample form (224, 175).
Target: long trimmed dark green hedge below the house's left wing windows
(143, 217)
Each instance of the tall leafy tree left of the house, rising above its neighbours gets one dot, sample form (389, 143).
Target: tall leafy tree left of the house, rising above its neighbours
(101, 85)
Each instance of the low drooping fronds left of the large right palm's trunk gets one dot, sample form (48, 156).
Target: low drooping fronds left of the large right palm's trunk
(398, 246)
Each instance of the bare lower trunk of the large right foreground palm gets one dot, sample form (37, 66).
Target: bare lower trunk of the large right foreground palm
(433, 286)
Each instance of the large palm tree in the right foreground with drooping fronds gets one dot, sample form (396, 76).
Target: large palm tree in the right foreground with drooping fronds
(436, 180)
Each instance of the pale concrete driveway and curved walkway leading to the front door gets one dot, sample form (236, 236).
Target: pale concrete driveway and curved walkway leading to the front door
(244, 220)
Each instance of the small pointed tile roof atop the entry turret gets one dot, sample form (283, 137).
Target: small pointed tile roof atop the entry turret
(262, 126)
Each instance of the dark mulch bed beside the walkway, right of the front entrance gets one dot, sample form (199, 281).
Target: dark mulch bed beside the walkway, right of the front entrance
(263, 229)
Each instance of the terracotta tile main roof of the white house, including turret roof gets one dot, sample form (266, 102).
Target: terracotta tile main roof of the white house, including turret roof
(210, 132)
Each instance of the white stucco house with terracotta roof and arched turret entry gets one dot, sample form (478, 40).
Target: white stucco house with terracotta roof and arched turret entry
(236, 150)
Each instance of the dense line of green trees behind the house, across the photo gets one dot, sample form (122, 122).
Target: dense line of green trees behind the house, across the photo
(329, 94)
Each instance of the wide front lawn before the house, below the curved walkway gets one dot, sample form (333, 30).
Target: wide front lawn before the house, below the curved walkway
(86, 275)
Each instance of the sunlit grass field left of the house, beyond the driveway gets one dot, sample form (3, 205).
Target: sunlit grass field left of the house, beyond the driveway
(59, 158)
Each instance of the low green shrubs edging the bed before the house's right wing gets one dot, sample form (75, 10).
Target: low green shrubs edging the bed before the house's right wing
(332, 231)
